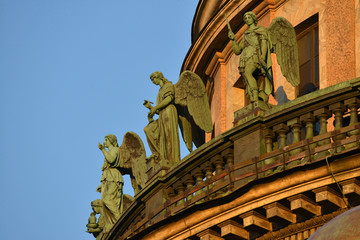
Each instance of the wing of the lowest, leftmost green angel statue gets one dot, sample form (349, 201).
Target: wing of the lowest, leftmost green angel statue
(133, 160)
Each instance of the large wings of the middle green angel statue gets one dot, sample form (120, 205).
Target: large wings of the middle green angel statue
(193, 109)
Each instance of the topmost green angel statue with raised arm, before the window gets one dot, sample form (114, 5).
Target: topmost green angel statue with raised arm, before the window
(255, 58)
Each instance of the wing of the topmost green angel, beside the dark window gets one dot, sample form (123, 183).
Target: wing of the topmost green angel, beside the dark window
(283, 37)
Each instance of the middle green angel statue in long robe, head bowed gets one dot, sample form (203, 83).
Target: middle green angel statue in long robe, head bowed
(184, 104)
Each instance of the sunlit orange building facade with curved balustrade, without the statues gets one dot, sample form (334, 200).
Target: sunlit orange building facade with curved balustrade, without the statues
(275, 174)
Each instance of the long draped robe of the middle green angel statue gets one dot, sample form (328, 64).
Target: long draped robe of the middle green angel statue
(162, 134)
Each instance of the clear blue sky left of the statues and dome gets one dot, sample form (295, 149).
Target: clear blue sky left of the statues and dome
(71, 72)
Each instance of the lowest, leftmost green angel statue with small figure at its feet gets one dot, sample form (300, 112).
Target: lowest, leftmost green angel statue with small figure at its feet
(129, 158)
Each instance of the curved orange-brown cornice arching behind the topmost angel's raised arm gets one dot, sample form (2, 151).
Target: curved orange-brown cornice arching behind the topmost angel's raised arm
(213, 37)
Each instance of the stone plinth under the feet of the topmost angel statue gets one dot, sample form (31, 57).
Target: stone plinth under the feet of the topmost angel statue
(249, 112)
